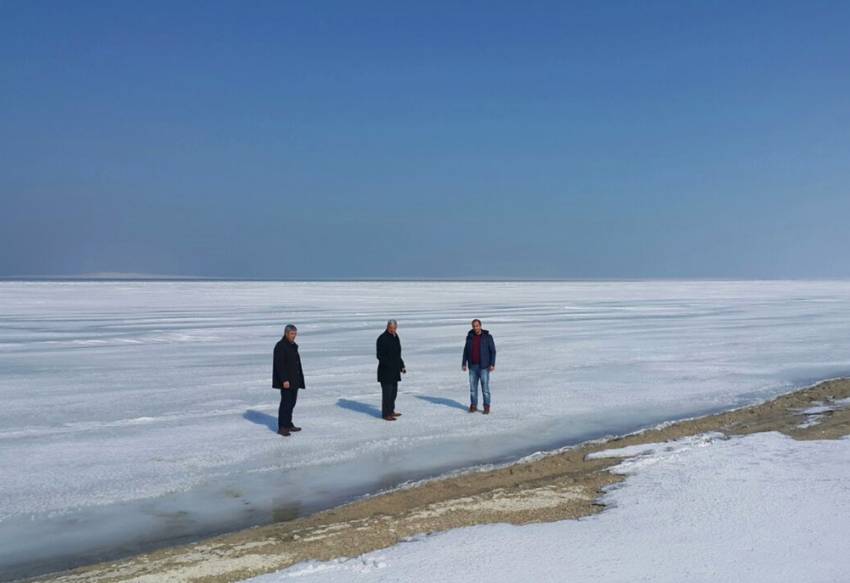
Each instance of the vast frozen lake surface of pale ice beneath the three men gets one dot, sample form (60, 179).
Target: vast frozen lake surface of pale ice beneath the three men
(141, 413)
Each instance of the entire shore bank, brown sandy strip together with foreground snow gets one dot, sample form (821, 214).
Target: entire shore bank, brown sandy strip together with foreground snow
(711, 497)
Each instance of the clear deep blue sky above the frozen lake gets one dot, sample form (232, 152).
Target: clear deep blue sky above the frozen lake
(395, 139)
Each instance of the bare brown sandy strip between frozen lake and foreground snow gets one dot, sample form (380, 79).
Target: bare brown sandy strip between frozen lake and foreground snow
(554, 487)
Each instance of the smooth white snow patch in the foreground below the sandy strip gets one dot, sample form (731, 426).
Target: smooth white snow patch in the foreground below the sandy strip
(757, 509)
